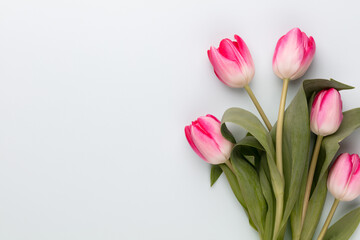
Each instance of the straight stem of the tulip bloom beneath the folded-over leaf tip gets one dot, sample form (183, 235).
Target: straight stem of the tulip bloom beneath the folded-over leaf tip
(311, 177)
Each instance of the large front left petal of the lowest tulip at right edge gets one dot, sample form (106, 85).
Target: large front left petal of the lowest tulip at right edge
(339, 175)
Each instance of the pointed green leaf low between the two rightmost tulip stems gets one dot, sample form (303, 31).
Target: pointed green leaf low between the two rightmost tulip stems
(314, 210)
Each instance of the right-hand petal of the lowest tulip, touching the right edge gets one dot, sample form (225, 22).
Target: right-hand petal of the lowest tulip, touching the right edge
(353, 188)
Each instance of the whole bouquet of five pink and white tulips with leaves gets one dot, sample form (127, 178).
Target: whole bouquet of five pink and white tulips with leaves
(278, 176)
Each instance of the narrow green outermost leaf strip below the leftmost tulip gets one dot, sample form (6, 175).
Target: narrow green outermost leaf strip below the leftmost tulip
(234, 184)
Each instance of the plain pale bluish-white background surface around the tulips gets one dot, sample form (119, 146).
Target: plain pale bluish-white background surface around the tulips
(94, 97)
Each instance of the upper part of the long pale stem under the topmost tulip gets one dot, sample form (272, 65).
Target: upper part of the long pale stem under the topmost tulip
(279, 128)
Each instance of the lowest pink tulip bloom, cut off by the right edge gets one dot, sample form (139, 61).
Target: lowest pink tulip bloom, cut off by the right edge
(344, 177)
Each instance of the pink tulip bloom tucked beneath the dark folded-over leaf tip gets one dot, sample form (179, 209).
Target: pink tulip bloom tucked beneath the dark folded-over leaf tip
(326, 112)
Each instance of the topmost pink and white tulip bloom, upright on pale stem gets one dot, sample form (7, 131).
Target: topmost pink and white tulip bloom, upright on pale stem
(293, 54)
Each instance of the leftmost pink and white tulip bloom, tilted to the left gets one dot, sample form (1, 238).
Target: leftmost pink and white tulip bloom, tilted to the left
(205, 138)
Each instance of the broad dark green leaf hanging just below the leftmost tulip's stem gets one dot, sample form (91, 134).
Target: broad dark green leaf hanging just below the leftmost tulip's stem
(251, 190)
